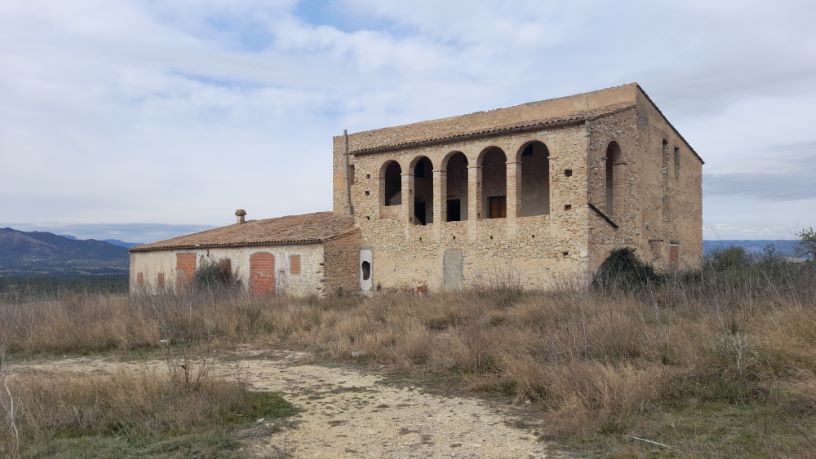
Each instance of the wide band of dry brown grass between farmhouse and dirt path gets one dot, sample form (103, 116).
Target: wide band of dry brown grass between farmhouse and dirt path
(718, 363)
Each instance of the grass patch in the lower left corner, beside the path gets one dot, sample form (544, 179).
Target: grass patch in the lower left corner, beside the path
(127, 413)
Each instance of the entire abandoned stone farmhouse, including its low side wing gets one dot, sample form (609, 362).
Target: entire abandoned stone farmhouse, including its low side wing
(536, 195)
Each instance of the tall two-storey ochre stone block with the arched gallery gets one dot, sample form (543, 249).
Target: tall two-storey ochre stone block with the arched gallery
(570, 179)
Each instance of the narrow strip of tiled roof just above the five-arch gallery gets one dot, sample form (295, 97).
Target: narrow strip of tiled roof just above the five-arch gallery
(499, 130)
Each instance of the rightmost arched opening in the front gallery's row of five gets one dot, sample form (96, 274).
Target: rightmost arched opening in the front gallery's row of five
(534, 186)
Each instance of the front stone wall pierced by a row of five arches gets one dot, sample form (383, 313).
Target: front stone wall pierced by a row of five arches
(535, 252)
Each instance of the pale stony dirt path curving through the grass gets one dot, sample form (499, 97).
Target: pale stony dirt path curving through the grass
(347, 413)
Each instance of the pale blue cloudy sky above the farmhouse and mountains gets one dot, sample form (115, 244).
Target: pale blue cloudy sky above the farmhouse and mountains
(144, 119)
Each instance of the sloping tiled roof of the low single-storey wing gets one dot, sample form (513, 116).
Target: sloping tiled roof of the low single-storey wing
(291, 229)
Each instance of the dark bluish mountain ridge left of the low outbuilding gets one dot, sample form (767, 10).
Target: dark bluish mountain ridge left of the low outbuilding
(47, 253)
